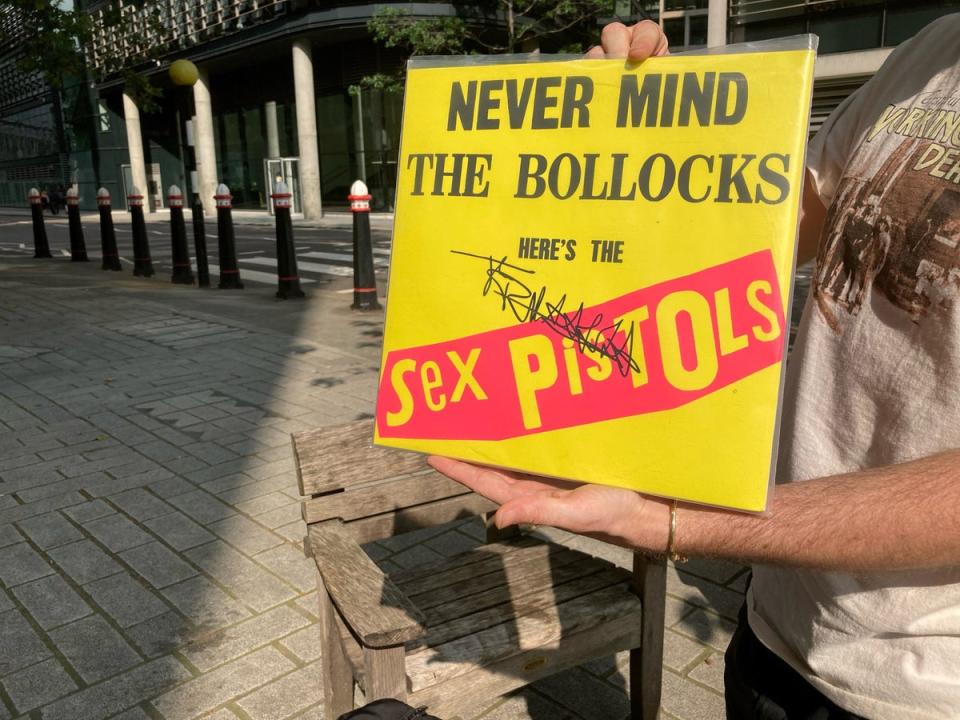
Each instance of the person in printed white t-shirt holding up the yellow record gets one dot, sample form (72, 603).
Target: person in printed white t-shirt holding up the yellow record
(854, 606)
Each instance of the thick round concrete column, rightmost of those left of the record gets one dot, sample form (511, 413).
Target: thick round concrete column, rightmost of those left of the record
(307, 130)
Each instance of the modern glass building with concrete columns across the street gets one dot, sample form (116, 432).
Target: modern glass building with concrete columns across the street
(278, 97)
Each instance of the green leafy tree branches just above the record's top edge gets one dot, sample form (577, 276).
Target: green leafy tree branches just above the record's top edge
(487, 26)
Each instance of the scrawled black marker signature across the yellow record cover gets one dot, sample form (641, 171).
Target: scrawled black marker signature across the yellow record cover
(528, 305)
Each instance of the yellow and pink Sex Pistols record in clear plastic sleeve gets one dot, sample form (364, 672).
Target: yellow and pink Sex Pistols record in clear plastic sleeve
(592, 266)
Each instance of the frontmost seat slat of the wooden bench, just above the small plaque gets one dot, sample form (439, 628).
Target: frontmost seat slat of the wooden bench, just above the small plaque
(438, 664)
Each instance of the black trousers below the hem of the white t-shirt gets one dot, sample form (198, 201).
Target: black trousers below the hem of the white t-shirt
(761, 686)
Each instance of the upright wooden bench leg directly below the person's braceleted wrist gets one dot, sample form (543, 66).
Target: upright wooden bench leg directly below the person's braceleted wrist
(646, 662)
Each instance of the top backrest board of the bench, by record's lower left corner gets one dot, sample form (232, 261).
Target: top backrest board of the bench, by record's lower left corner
(337, 457)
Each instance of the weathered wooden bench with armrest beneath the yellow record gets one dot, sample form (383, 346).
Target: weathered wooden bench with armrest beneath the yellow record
(457, 632)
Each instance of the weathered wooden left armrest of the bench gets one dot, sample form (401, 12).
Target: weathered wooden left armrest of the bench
(375, 609)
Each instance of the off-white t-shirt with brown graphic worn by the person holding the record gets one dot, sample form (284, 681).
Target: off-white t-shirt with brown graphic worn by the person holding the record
(874, 380)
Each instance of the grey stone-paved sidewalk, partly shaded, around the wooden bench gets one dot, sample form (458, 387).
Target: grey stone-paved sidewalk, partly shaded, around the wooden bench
(150, 559)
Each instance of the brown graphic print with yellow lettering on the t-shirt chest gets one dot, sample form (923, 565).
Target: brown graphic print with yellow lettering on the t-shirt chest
(898, 229)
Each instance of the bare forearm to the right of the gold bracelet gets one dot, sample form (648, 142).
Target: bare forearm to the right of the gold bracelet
(900, 516)
